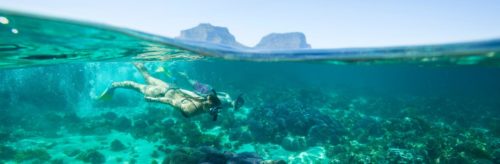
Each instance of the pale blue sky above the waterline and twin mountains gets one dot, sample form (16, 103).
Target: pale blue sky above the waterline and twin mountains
(326, 24)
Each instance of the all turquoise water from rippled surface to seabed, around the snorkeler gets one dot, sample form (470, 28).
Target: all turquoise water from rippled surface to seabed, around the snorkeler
(413, 104)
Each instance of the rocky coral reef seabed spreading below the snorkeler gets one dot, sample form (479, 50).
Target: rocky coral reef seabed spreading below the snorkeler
(303, 126)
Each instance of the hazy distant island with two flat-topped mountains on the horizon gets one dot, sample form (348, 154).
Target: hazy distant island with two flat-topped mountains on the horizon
(206, 32)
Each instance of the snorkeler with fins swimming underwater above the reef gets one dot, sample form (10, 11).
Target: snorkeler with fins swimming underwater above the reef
(188, 102)
